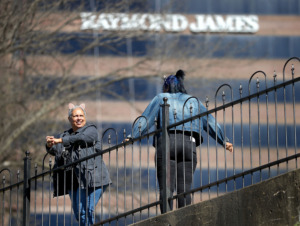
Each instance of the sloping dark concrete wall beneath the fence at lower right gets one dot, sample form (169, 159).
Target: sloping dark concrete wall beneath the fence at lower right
(272, 202)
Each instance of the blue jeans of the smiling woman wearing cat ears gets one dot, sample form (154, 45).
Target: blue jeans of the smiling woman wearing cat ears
(93, 197)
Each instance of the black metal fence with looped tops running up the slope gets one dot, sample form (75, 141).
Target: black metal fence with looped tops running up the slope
(262, 125)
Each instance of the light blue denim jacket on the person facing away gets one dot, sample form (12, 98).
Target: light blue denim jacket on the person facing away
(184, 106)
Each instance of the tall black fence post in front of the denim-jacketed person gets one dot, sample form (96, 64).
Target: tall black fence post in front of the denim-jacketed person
(166, 193)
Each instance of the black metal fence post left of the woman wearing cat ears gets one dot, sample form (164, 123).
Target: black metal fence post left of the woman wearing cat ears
(26, 190)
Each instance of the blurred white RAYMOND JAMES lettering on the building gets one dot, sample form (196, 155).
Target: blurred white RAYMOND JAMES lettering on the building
(169, 22)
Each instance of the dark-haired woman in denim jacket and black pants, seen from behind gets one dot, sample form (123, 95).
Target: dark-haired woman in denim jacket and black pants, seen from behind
(183, 138)
